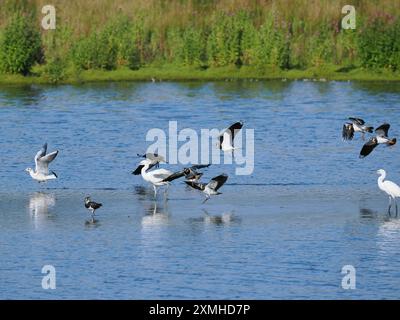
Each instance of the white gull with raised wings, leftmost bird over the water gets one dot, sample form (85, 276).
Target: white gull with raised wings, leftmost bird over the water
(42, 161)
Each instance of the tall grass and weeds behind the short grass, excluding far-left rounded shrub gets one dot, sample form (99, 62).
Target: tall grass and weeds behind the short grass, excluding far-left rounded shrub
(106, 34)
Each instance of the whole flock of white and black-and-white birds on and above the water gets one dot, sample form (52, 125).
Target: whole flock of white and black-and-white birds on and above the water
(149, 169)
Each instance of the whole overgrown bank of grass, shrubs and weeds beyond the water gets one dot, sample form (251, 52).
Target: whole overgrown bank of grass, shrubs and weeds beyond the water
(118, 40)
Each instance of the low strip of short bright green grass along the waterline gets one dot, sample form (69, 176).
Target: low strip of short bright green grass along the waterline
(173, 73)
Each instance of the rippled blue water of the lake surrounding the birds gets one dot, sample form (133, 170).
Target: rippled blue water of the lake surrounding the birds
(310, 207)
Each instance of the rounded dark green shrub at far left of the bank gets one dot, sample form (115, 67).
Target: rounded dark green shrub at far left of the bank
(20, 46)
